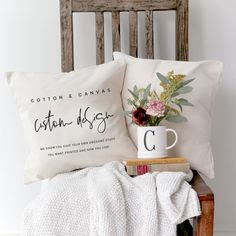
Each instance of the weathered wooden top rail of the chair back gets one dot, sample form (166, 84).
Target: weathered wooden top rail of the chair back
(122, 5)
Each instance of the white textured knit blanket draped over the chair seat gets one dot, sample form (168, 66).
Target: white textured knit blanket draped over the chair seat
(105, 201)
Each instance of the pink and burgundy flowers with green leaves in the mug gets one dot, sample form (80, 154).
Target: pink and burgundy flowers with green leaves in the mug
(149, 108)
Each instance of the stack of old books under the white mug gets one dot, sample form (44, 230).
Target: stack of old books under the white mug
(142, 166)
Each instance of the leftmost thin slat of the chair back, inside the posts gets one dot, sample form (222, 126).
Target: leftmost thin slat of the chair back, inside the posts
(99, 38)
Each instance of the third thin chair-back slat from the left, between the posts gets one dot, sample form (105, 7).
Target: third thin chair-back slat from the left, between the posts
(133, 35)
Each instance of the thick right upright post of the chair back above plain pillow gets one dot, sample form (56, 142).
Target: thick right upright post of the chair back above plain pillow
(182, 30)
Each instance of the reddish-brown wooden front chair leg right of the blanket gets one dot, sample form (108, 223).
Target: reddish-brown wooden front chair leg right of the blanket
(204, 224)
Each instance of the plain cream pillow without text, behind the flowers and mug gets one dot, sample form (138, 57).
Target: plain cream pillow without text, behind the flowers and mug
(194, 135)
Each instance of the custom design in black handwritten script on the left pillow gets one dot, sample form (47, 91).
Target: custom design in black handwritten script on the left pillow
(85, 117)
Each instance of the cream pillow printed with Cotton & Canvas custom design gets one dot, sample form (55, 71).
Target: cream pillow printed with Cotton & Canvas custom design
(70, 119)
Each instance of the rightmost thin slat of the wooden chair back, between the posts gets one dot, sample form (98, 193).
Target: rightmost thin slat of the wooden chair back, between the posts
(149, 34)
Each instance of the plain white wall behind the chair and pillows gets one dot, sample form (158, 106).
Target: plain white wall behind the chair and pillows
(30, 41)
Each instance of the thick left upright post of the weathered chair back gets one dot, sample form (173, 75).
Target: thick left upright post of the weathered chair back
(67, 55)
